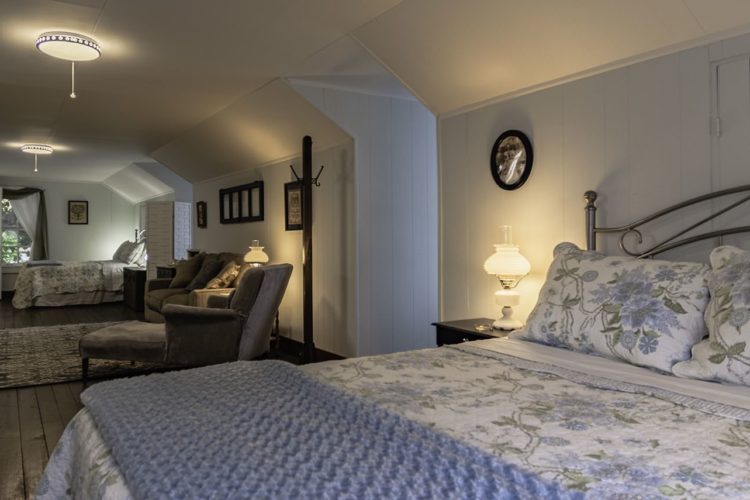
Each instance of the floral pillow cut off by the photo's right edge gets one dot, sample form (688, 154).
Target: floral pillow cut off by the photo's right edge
(725, 355)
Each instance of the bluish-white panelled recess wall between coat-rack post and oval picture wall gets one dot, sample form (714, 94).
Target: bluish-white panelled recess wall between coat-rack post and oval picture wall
(396, 210)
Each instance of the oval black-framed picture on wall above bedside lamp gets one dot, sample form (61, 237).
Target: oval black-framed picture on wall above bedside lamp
(511, 159)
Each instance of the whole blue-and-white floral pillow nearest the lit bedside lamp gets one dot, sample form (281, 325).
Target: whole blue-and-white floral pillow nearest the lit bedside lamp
(646, 312)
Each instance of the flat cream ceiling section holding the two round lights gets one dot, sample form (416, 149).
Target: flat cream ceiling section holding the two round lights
(166, 66)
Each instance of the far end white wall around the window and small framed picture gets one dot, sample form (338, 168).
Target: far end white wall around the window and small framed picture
(110, 220)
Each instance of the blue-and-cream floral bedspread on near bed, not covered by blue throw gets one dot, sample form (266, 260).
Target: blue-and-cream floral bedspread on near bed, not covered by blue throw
(606, 444)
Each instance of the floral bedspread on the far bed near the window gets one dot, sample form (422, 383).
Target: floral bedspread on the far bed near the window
(70, 277)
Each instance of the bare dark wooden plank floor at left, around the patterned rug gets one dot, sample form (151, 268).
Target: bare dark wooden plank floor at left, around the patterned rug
(32, 419)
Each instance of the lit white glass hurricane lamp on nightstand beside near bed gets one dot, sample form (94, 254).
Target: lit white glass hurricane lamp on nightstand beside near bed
(509, 266)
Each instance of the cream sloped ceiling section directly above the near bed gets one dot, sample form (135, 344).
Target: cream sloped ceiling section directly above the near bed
(454, 54)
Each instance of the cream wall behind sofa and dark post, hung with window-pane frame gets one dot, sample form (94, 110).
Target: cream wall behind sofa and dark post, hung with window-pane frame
(334, 275)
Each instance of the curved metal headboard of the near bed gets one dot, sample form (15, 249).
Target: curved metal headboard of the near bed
(673, 241)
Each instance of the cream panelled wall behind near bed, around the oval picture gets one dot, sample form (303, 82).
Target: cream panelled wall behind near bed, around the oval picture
(639, 135)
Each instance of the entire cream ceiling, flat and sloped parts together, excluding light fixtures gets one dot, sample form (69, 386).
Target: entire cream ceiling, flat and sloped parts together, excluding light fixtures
(176, 78)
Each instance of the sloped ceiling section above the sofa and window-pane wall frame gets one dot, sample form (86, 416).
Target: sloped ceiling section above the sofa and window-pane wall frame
(264, 126)
